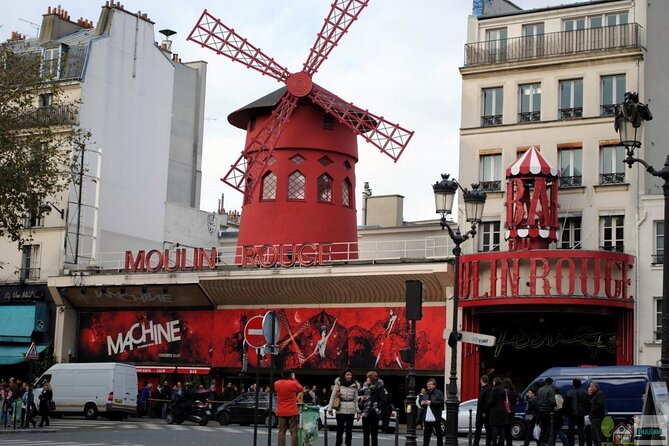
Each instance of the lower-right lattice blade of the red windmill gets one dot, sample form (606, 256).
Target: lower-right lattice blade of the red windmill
(390, 138)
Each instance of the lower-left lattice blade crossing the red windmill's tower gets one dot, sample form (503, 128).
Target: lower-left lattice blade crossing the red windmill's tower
(245, 173)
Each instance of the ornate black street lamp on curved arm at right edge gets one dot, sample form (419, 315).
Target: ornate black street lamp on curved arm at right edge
(630, 116)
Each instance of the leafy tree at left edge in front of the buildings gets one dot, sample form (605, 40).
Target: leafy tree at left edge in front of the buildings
(39, 141)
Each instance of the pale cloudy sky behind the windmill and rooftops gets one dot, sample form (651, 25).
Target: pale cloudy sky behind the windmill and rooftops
(399, 60)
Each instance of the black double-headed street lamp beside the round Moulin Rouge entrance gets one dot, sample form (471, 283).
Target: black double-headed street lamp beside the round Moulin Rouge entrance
(444, 196)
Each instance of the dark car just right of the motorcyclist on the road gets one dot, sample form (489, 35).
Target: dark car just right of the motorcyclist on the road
(241, 410)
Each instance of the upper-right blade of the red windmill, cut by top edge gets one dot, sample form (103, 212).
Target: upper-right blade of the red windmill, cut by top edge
(342, 15)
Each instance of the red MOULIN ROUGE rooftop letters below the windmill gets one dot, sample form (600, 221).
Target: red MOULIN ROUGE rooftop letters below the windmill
(197, 259)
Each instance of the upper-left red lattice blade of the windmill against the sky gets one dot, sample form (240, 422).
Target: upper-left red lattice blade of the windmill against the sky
(211, 33)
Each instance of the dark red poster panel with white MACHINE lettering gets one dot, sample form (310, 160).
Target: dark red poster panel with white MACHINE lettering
(174, 337)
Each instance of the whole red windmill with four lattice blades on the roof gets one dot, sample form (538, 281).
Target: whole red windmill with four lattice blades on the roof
(297, 171)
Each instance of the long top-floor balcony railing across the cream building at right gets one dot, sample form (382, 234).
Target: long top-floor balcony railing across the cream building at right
(556, 44)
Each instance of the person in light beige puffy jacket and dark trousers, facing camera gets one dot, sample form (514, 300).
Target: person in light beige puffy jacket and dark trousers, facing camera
(346, 392)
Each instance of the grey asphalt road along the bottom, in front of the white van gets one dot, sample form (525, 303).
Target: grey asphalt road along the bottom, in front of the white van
(76, 431)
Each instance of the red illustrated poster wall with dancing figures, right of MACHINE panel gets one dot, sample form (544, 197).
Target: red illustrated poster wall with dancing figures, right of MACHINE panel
(335, 338)
